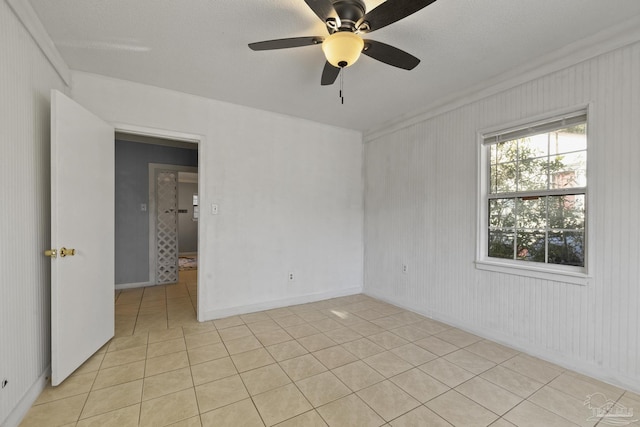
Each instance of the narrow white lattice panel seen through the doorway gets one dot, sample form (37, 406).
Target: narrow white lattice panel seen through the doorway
(167, 227)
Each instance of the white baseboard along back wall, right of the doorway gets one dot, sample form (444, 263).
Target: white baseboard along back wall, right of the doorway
(268, 305)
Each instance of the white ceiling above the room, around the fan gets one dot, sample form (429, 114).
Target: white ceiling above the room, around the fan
(200, 47)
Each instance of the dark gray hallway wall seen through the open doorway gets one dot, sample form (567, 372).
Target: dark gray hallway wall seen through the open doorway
(132, 190)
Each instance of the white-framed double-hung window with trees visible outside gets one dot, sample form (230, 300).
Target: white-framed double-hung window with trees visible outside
(535, 193)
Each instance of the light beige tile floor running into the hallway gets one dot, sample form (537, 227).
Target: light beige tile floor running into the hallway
(352, 361)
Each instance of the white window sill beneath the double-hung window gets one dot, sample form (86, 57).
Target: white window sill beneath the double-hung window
(547, 273)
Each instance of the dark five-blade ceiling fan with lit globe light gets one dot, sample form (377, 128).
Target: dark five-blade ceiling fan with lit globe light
(346, 20)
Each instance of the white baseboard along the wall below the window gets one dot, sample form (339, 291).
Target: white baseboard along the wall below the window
(586, 368)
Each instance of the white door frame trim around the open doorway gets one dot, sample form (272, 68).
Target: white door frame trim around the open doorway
(184, 137)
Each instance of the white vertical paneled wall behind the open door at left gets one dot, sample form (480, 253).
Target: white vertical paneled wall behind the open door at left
(25, 82)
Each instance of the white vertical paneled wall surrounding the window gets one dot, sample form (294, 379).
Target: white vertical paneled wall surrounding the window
(421, 210)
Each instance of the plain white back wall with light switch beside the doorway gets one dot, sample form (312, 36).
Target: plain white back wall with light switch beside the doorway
(289, 193)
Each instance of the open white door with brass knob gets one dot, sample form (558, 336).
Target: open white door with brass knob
(82, 219)
